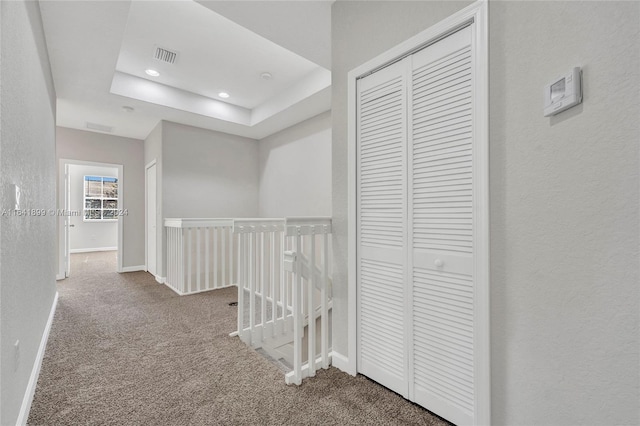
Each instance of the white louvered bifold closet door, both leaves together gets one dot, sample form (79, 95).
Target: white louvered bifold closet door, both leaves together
(415, 251)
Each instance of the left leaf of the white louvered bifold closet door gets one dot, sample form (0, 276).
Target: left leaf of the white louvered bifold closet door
(382, 211)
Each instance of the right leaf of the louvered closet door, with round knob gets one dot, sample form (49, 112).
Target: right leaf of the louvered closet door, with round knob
(441, 228)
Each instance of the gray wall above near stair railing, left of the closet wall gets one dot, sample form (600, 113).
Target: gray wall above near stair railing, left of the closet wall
(295, 170)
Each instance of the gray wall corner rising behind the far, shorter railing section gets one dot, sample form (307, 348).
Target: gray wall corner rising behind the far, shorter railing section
(202, 174)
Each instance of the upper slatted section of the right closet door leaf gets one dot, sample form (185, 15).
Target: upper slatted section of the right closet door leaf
(429, 155)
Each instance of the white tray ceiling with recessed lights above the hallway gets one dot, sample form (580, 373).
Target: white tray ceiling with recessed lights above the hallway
(99, 51)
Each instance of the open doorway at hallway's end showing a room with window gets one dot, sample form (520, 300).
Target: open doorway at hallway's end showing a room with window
(89, 211)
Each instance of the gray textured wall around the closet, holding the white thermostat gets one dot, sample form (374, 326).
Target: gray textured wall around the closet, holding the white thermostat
(564, 200)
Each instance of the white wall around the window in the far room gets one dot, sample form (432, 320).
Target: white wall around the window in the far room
(89, 235)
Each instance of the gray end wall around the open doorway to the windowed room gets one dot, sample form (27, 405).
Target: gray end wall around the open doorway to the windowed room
(102, 148)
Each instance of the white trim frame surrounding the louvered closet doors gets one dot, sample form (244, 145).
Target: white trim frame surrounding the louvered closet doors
(476, 13)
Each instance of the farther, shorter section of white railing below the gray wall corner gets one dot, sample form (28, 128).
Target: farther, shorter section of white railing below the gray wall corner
(199, 254)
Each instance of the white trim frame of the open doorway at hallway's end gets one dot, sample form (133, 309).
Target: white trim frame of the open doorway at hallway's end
(63, 248)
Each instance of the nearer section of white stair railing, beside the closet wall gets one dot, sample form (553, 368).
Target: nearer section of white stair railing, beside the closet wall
(284, 289)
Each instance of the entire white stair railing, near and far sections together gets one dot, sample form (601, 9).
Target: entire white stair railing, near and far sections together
(282, 270)
